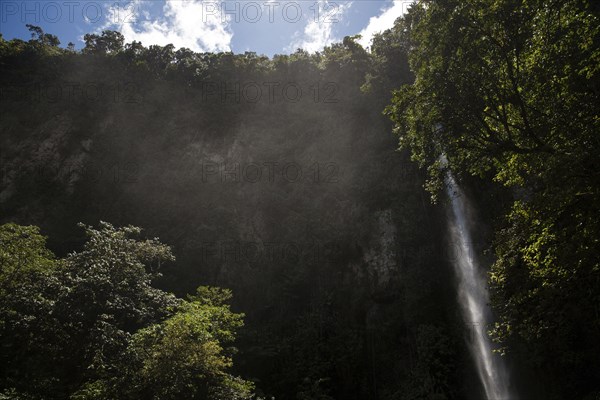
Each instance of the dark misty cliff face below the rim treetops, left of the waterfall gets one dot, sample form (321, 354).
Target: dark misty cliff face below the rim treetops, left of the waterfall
(303, 208)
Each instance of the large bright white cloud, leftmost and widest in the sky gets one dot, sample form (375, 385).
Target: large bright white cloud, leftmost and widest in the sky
(184, 23)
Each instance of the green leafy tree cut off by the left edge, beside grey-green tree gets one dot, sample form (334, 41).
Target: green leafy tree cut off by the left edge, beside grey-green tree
(26, 266)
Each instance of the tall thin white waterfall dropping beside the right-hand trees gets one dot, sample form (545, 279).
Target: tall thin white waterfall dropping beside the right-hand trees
(473, 297)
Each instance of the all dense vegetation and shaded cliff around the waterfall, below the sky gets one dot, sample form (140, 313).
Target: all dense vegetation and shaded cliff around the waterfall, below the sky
(278, 179)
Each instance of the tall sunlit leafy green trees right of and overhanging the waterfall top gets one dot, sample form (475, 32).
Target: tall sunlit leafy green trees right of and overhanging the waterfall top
(508, 91)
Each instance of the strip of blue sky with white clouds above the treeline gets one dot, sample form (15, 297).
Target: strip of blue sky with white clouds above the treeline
(264, 26)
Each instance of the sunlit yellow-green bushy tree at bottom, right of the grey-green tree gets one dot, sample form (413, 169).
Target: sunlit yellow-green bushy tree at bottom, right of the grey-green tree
(181, 357)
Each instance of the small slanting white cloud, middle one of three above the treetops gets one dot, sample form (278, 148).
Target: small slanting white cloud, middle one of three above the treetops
(318, 32)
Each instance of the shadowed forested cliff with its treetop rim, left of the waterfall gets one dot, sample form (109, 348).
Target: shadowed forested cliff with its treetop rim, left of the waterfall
(332, 311)
